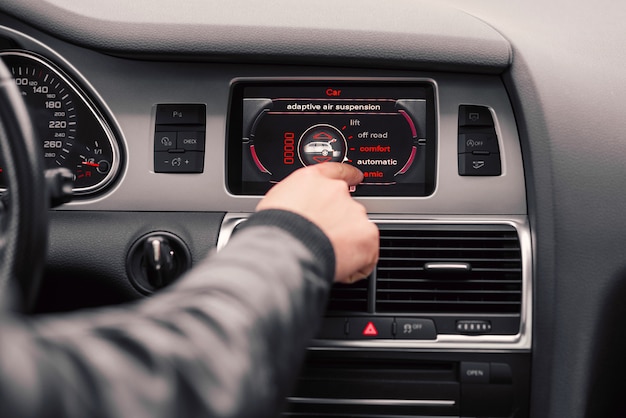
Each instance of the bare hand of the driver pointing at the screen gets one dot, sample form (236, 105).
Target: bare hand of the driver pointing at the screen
(320, 194)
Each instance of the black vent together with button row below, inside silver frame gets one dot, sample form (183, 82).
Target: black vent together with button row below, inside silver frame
(464, 279)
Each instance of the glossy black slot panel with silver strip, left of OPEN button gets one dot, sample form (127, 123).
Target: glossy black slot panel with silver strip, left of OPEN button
(369, 387)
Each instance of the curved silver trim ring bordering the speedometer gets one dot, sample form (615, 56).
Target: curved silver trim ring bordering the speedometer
(85, 98)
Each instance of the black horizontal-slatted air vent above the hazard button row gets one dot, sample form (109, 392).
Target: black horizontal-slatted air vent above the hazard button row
(440, 269)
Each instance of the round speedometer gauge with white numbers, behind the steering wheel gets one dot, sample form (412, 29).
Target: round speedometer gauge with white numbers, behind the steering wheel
(72, 132)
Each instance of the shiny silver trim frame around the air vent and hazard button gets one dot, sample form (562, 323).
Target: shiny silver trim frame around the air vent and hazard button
(522, 341)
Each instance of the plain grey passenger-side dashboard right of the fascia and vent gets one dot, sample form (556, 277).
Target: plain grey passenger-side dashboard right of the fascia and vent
(568, 84)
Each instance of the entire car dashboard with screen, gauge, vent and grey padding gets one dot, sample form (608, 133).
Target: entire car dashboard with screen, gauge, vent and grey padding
(479, 174)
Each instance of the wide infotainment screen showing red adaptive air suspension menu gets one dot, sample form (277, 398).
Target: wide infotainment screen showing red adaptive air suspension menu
(385, 129)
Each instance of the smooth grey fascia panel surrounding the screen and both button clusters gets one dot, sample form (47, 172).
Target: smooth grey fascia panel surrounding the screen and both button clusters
(131, 89)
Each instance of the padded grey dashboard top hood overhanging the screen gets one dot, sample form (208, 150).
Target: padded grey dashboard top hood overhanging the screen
(422, 34)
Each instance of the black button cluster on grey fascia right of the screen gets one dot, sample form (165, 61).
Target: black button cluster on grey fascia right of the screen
(479, 152)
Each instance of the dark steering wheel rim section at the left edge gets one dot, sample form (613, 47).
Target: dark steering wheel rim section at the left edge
(23, 215)
